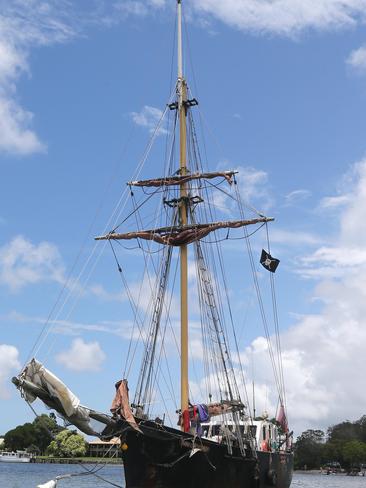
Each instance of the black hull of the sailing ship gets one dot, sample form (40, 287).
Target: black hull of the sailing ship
(161, 458)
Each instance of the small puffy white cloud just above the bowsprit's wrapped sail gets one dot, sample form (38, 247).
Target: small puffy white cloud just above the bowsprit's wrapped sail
(82, 356)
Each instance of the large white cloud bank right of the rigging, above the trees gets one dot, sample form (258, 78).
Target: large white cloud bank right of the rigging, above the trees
(323, 353)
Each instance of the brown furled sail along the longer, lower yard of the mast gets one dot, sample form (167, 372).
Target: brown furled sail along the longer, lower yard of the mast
(182, 235)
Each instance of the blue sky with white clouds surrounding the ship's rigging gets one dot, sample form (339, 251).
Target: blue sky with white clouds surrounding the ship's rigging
(282, 91)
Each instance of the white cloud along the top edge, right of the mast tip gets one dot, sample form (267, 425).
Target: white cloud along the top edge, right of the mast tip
(284, 17)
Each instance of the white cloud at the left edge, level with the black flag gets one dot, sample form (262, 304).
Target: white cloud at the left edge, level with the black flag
(23, 263)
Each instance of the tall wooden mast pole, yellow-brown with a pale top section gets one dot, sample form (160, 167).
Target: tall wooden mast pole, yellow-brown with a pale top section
(182, 98)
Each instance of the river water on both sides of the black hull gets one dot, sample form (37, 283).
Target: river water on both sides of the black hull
(30, 475)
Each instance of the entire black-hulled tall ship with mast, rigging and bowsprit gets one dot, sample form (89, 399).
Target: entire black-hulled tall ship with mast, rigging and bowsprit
(178, 223)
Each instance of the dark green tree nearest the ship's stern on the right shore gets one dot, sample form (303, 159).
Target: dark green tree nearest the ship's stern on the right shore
(309, 449)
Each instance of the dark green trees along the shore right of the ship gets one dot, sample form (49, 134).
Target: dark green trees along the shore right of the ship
(342, 445)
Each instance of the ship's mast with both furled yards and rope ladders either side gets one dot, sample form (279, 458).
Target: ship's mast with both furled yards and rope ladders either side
(182, 235)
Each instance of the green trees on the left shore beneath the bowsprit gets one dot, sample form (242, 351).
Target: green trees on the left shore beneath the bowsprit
(45, 437)
